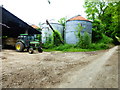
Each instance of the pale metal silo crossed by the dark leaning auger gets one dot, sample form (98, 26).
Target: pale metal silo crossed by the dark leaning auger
(47, 32)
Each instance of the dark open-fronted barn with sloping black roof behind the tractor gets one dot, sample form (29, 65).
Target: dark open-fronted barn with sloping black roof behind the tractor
(12, 26)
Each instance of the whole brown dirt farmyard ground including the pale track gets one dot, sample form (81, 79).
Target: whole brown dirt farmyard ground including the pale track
(55, 69)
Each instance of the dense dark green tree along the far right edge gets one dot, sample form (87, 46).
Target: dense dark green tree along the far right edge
(111, 21)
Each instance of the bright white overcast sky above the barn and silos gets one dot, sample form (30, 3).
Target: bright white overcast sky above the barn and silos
(35, 11)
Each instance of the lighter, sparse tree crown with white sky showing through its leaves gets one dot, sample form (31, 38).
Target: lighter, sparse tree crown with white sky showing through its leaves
(95, 9)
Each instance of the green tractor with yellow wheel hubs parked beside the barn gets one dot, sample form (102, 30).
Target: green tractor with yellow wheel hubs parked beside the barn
(28, 42)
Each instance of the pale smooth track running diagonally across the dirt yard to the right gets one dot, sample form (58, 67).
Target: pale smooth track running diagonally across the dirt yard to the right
(85, 77)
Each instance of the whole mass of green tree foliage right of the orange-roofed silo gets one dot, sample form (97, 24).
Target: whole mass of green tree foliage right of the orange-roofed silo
(105, 17)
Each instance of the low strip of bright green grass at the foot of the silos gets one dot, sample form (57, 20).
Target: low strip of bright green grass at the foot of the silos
(74, 48)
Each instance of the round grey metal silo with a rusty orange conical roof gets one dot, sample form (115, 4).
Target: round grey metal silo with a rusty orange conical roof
(71, 24)
